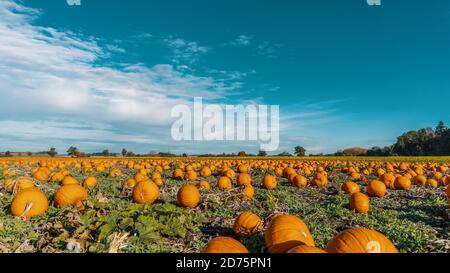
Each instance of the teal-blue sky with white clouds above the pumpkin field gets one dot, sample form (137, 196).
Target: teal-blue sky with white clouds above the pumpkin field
(104, 74)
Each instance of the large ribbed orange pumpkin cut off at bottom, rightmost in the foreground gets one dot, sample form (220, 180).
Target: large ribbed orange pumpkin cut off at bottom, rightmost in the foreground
(360, 240)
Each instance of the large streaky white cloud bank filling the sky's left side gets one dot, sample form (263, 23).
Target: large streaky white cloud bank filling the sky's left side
(46, 73)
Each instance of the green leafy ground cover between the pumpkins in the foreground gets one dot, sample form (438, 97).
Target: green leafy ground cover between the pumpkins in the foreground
(416, 221)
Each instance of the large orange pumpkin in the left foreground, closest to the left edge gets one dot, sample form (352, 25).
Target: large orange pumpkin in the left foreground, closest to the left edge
(33, 196)
